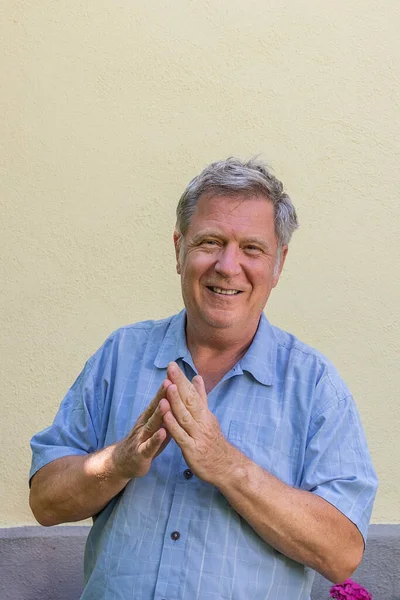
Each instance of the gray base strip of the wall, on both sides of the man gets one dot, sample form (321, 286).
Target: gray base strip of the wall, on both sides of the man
(37, 563)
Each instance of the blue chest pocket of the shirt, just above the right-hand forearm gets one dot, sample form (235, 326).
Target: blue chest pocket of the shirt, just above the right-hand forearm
(275, 449)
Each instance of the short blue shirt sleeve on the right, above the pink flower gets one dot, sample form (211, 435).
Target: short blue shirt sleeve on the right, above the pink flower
(338, 465)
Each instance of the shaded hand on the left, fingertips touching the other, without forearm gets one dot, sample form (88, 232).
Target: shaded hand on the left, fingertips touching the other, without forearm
(134, 454)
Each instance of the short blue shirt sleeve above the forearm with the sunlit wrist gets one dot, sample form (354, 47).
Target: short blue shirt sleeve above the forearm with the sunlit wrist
(75, 429)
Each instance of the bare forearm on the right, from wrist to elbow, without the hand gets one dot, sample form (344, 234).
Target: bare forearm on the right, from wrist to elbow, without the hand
(295, 522)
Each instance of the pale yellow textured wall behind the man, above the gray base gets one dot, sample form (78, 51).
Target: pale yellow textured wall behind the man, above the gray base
(110, 108)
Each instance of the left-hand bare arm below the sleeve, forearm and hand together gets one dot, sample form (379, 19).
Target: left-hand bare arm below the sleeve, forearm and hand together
(73, 488)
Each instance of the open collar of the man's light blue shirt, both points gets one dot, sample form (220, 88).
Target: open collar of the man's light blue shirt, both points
(259, 360)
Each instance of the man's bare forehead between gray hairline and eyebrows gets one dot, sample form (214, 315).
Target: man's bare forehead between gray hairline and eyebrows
(240, 212)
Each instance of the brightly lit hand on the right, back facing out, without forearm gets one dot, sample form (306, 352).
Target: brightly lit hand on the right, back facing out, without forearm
(194, 428)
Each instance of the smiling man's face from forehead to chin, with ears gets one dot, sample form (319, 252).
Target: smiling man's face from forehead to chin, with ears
(227, 262)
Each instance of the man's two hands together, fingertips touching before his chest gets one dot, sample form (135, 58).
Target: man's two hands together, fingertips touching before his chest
(179, 411)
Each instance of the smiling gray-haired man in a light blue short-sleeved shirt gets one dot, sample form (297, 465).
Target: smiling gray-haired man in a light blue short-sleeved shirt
(218, 456)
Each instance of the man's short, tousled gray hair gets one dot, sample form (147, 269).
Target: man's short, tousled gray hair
(234, 176)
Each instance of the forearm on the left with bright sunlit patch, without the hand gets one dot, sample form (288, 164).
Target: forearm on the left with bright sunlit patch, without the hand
(74, 488)
